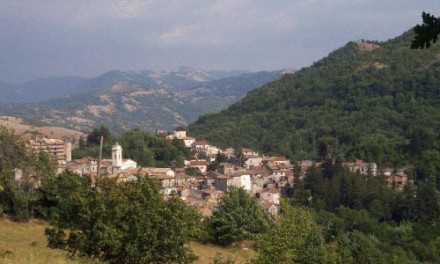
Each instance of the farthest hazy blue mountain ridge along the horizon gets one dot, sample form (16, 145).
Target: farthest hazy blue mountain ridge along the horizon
(48, 88)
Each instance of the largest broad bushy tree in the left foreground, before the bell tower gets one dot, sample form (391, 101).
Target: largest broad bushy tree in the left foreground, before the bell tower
(121, 222)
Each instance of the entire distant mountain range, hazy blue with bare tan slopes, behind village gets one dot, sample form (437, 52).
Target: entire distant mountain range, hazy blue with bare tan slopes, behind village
(122, 100)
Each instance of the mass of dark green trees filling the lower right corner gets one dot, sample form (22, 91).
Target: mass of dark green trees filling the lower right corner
(363, 221)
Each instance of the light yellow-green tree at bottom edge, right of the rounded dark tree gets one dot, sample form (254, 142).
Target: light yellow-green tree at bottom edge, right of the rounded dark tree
(295, 238)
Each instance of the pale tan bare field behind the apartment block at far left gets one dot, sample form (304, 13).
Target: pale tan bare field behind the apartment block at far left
(20, 128)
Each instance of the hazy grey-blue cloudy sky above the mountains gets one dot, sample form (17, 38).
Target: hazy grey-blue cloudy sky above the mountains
(51, 38)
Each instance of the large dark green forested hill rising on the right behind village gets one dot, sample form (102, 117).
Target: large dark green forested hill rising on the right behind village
(379, 100)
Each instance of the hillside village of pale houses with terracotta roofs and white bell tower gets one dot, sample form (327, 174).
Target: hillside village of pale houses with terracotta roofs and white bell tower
(201, 185)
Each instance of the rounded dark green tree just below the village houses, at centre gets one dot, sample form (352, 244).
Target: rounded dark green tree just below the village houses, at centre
(238, 217)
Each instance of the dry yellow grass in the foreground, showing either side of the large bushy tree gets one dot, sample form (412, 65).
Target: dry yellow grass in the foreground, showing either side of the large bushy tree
(25, 243)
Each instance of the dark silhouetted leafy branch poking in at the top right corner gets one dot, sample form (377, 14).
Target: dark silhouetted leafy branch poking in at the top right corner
(426, 32)
